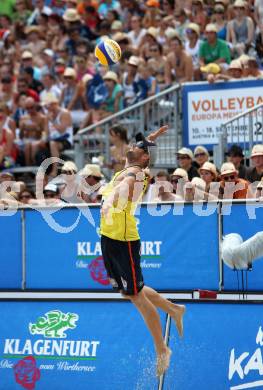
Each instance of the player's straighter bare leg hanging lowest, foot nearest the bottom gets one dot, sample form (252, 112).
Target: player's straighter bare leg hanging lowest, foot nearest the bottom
(152, 320)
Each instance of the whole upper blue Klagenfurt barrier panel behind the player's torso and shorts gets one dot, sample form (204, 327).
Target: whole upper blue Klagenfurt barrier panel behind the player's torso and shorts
(176, 252)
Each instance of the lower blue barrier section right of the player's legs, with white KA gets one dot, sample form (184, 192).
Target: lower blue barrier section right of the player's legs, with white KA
(221, 349)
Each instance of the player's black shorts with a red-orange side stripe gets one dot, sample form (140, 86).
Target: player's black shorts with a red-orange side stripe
(122, 262)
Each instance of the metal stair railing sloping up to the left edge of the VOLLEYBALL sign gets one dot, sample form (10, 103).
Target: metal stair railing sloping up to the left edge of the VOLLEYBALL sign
(145, 116)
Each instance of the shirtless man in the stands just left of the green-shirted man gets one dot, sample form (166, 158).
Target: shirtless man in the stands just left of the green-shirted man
(179, 65)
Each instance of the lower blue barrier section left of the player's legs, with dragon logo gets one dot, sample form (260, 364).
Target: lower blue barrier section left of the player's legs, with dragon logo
(63, 345)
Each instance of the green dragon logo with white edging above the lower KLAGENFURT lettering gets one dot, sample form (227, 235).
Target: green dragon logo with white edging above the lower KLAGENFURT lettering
(53, 324)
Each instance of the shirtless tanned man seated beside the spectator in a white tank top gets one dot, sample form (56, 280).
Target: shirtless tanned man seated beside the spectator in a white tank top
(32, 126)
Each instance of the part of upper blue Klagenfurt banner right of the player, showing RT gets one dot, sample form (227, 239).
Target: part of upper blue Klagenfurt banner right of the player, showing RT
(179, 252)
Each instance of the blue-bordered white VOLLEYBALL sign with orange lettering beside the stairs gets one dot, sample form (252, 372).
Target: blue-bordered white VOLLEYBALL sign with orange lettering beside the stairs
(206, 106)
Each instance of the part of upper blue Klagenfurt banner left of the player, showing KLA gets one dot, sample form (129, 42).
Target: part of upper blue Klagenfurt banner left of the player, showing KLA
(69, 255)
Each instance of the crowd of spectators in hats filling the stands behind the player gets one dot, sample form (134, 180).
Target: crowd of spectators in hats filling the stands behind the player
(51, 85)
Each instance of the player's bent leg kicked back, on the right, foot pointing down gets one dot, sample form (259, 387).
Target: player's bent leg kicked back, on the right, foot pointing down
(174, 310)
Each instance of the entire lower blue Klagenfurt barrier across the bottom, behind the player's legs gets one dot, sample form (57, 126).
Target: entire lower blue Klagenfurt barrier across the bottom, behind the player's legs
(105, 345)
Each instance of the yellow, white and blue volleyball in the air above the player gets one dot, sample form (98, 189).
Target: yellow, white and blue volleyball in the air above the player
(108, 52)
